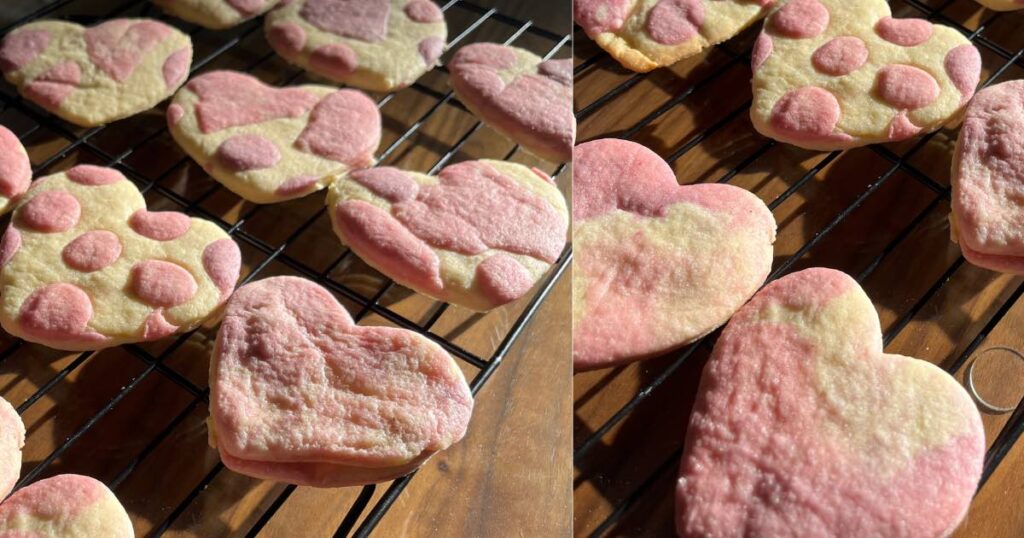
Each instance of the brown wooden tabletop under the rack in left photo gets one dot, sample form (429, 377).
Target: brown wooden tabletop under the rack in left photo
(510, 476)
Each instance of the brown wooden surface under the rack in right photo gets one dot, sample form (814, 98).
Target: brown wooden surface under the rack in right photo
(878, 214)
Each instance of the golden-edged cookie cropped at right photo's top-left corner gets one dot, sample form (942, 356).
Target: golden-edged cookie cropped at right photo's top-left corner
(647, 34)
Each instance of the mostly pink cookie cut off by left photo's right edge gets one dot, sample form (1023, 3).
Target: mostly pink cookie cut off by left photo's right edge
(520, 95)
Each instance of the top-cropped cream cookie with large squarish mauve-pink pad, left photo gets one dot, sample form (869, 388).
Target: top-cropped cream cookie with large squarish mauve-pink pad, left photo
(377, 46)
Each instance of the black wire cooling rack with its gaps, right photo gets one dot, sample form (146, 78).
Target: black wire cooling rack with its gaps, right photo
(625, 473)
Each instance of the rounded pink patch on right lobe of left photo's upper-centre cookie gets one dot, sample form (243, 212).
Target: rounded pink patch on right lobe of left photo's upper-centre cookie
(346, 127)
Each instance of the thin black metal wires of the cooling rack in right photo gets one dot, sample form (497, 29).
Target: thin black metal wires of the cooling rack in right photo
(1015, 425)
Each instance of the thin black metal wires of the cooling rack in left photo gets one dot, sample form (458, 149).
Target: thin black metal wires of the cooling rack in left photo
(485, 367)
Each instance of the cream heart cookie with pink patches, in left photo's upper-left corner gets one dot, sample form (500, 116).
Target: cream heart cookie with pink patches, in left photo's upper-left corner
(92, 76)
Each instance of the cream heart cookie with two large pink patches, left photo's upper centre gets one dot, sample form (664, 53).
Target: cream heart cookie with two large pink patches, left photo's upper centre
(268, 144)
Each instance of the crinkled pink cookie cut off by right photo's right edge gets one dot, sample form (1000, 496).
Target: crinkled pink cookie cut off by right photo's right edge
(989, 180)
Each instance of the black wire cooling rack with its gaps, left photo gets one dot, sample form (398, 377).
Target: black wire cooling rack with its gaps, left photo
(292, 238)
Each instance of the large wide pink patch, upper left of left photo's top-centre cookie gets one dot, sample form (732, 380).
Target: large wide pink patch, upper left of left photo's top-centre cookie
(231, 100)
